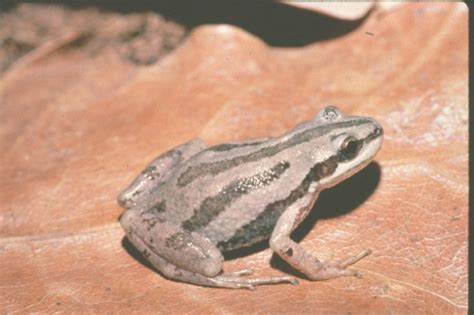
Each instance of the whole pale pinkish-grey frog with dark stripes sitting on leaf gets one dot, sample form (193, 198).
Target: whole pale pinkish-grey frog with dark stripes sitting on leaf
(194, 203)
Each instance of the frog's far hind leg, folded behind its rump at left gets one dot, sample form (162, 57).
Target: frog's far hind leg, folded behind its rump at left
(157, 171)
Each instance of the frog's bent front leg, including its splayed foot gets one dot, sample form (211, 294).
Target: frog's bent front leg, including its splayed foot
(298, 257)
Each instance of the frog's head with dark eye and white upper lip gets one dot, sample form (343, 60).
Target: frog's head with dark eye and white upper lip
(352, 142)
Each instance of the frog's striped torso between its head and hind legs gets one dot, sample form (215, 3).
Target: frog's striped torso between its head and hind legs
(234, 193)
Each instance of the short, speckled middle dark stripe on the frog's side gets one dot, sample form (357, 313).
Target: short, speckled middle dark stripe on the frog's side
(212, 206)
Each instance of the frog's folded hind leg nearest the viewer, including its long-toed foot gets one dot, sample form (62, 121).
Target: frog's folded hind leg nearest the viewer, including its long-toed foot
(184, 256)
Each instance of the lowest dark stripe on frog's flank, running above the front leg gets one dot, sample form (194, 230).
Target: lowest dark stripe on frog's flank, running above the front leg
(262, 226)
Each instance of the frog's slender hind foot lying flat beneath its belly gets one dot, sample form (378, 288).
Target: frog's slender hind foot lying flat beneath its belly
(235, 281)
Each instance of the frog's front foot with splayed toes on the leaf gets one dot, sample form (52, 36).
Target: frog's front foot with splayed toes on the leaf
(335, 269)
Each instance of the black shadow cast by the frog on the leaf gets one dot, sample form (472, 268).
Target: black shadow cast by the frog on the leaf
(356, 190)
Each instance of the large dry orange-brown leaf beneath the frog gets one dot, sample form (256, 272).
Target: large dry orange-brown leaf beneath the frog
(76, 129)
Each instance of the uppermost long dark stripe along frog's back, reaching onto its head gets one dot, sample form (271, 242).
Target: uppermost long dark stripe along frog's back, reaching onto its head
(214, 168)
